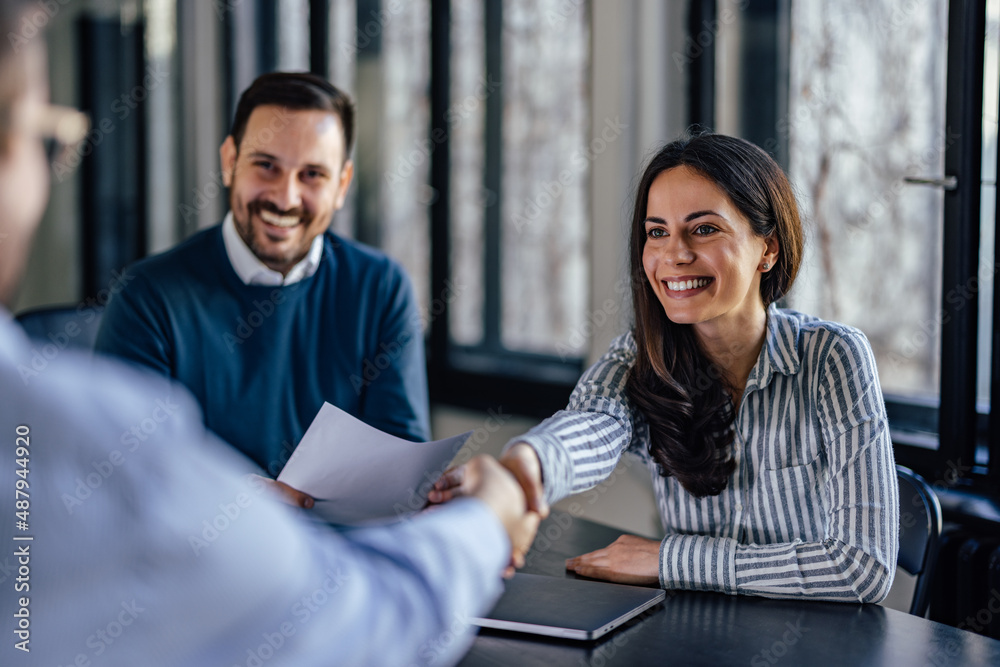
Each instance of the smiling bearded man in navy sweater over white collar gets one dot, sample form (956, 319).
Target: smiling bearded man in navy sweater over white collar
(269, 314)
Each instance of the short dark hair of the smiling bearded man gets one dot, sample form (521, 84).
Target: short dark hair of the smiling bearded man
(300, 91)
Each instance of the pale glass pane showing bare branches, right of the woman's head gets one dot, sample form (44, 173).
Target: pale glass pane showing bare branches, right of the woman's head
(867, 110)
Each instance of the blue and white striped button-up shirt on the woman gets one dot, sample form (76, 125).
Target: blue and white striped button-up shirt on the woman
(812, 508)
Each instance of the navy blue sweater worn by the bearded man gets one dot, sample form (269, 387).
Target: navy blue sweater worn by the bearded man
(261, 360)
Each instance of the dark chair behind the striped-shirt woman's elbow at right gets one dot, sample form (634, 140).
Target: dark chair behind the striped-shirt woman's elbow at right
(919, 530)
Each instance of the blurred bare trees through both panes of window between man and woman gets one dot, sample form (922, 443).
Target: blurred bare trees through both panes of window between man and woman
(545, 171)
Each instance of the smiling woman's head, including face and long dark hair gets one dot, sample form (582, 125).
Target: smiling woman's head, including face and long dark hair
(719, 211)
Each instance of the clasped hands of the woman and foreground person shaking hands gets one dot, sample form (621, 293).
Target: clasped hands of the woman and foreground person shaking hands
(511, 487)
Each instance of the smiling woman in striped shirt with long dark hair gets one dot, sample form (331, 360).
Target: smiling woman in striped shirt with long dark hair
(764, 429)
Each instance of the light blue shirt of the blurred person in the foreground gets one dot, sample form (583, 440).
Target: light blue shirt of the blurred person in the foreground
(151, 545)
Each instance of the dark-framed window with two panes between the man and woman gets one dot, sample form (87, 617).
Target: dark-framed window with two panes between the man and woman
(509, 254)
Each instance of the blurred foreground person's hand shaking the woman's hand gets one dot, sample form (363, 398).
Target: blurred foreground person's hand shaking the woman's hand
(484, 478)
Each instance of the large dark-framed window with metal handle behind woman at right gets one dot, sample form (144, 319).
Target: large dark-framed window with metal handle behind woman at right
(885, 119)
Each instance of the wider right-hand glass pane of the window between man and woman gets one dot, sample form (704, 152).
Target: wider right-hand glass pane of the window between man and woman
(545, 174)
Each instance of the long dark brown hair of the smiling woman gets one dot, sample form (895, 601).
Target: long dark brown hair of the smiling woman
(682, 395)
